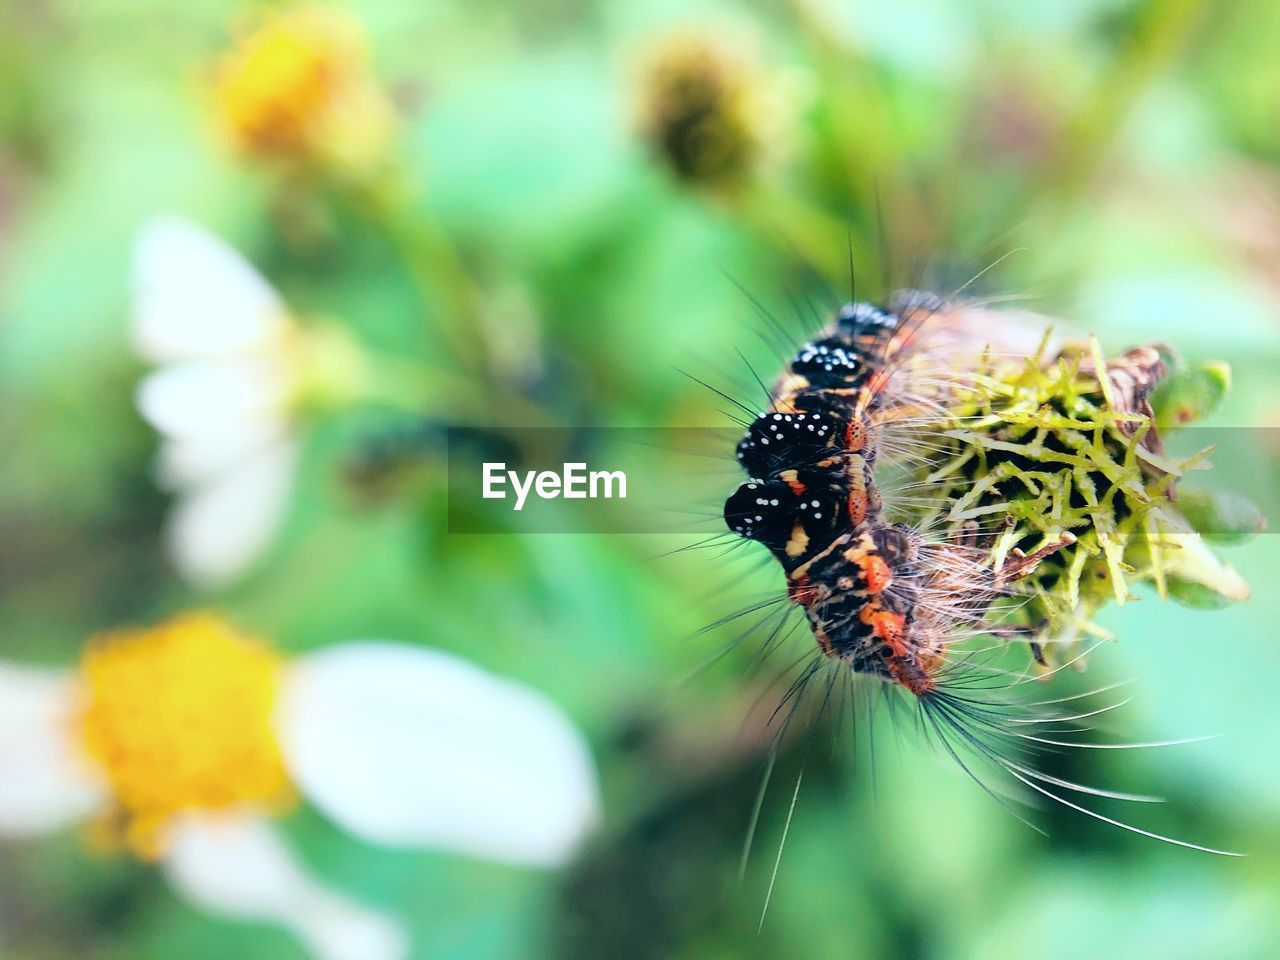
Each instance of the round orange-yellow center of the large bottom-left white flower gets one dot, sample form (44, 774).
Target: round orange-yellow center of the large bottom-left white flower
(180, 719)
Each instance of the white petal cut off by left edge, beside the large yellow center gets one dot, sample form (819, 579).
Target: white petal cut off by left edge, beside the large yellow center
(44, 781)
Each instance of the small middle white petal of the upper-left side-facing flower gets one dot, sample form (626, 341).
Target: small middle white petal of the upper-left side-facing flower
(202, 396)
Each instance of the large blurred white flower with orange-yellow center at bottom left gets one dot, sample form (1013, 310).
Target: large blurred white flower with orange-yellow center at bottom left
(188, 738)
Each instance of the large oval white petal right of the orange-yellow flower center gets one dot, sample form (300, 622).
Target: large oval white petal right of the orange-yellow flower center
(408, 747)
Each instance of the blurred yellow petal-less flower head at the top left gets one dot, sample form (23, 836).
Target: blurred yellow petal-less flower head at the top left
(301, 89)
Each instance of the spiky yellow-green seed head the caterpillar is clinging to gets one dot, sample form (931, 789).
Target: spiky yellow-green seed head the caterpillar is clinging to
(1066, 451)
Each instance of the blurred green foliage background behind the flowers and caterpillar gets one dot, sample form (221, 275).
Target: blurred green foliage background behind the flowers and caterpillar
(1127, 153)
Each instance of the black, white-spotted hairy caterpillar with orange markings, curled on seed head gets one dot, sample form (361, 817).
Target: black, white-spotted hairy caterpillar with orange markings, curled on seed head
(874, 598)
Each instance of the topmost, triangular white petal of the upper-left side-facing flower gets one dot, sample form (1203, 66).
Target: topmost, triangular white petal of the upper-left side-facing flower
(198, 298)
